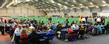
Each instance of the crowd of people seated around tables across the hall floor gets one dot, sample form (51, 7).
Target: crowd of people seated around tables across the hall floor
(33, 32)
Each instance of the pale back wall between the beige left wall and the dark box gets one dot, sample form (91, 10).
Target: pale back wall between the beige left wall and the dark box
(72, 13)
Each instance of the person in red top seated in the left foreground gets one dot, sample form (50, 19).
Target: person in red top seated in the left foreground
(23, 37)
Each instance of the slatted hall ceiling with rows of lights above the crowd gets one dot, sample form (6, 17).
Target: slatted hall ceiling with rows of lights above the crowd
(65, 4)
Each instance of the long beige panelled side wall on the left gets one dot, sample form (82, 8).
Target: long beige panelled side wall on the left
(20, 11)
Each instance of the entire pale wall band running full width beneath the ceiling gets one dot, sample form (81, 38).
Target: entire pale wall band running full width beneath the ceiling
(31, 11)
